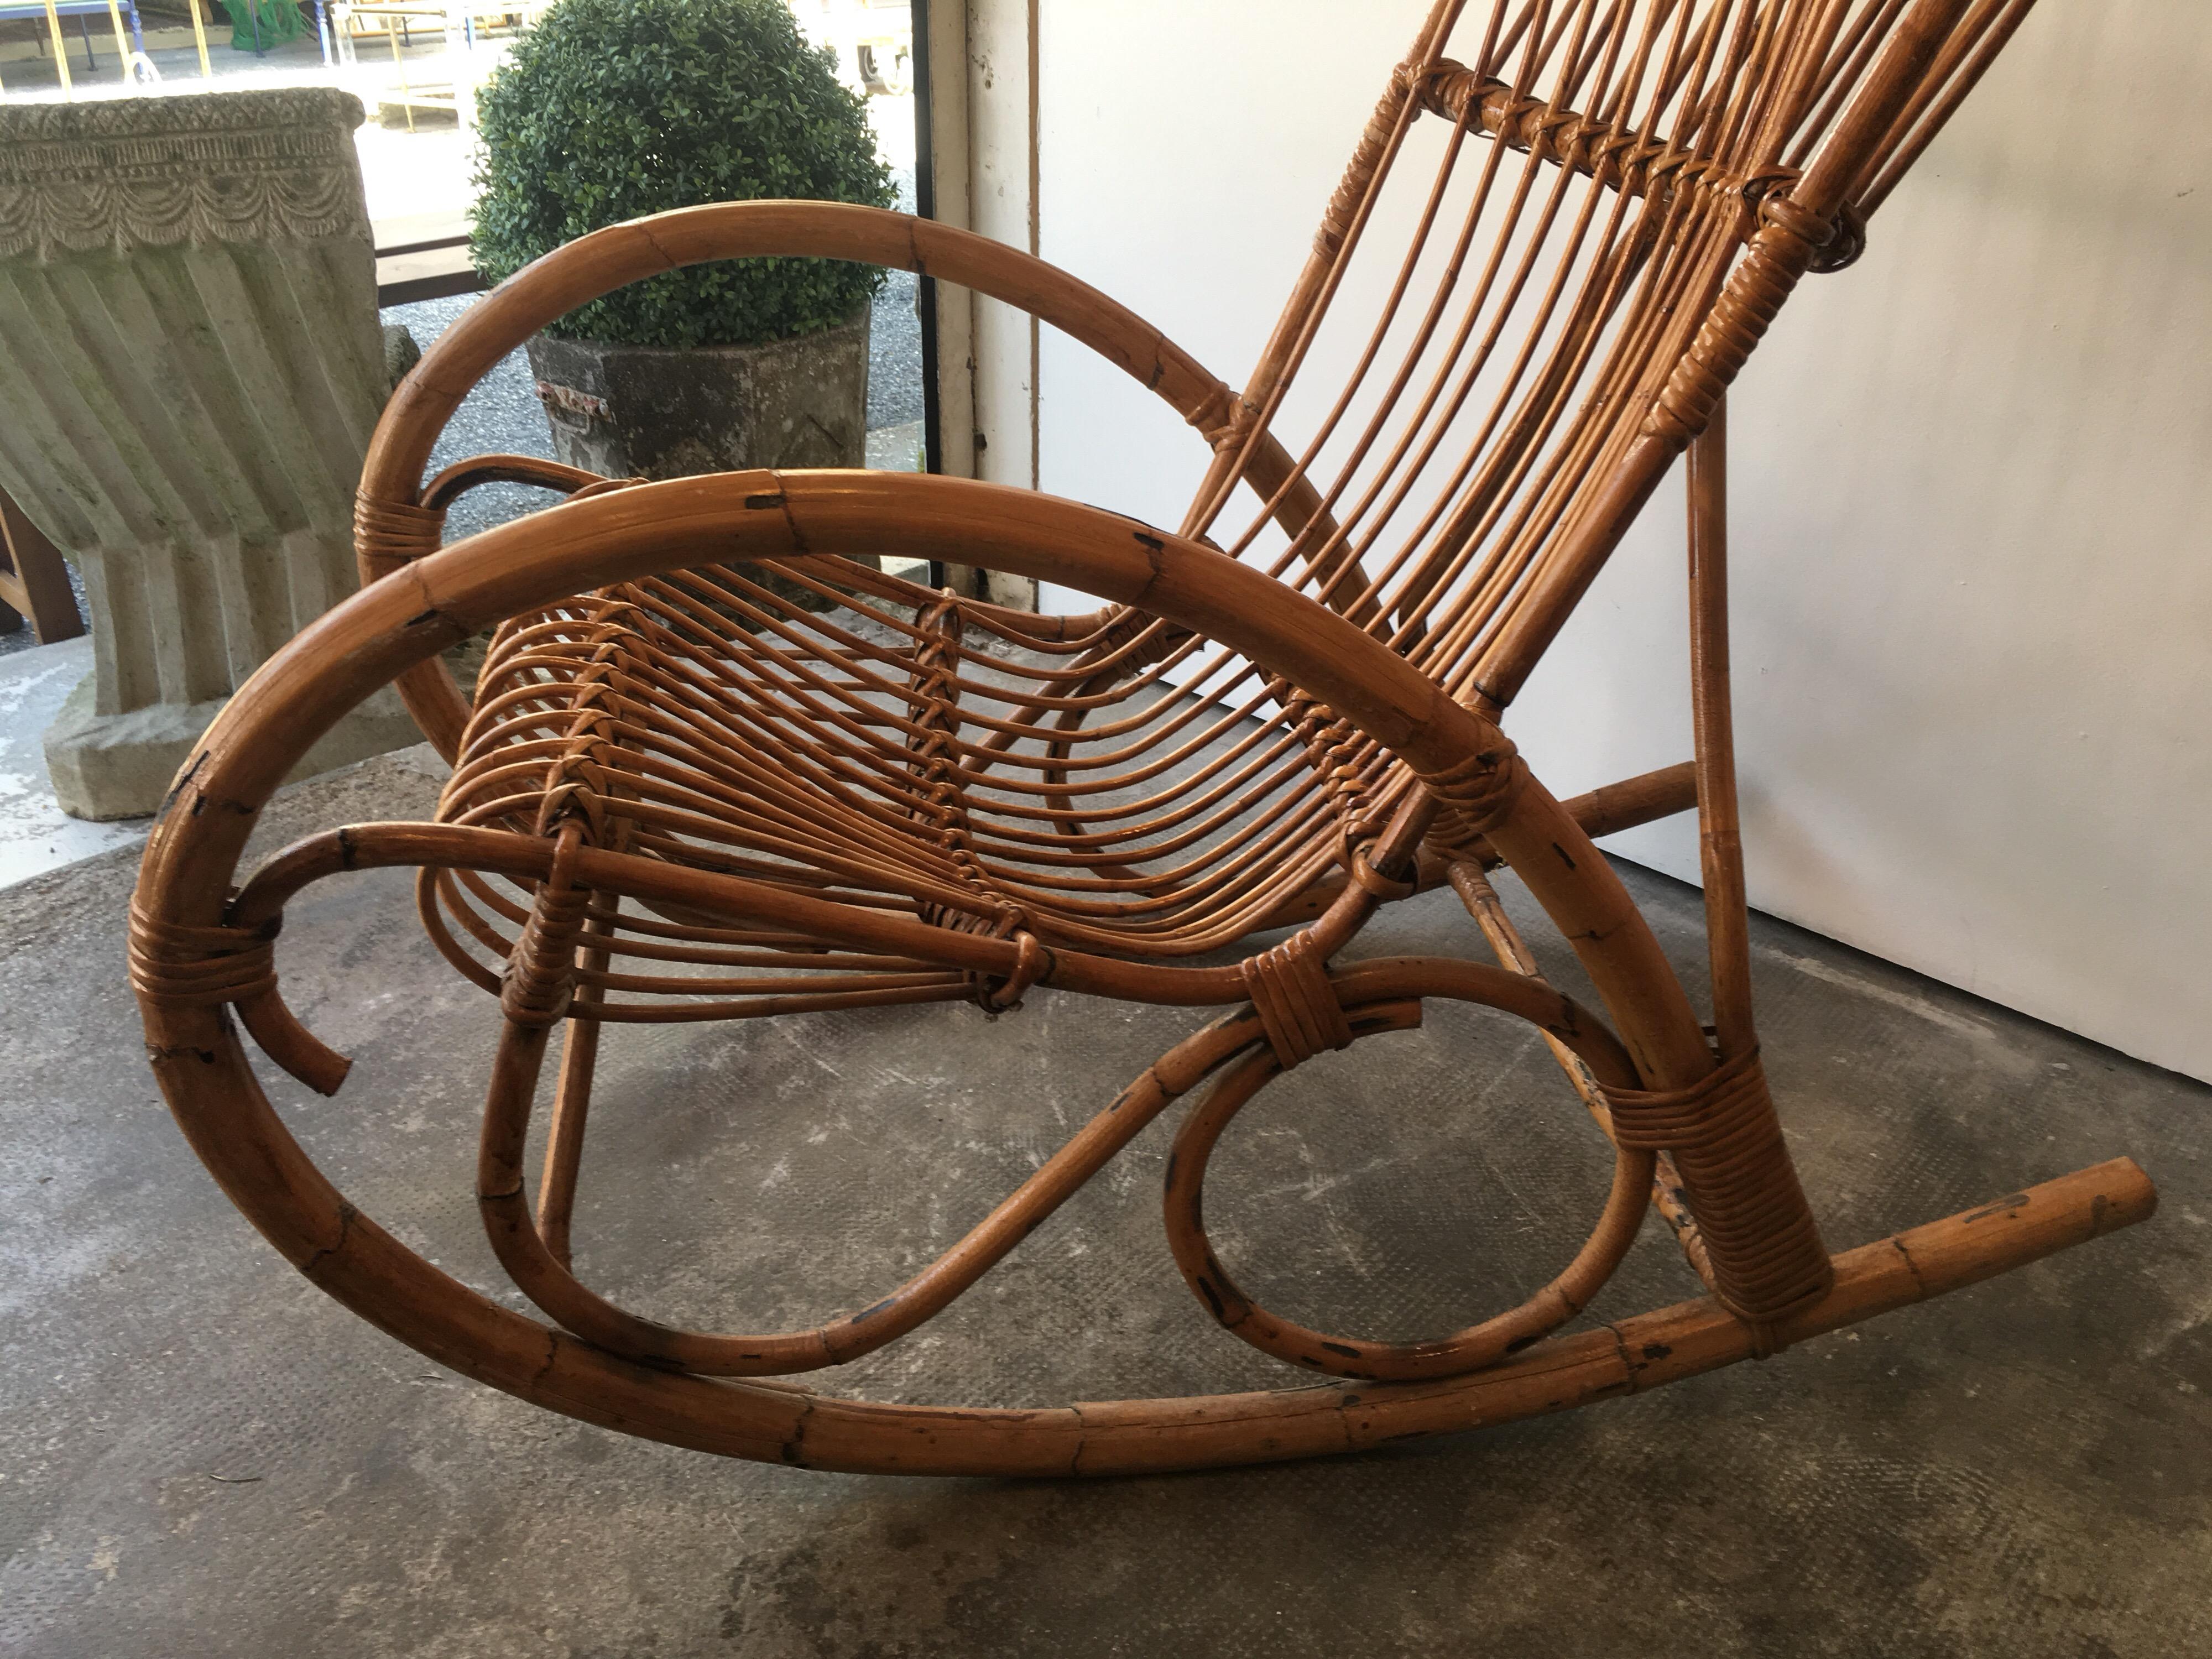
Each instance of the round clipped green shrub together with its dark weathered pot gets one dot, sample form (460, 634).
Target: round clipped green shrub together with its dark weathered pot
(612, 109)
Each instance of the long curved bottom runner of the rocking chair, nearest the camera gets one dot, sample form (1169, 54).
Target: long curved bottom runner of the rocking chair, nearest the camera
(240, 1138)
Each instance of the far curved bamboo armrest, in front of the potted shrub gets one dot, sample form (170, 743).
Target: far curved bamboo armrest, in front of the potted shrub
(397, 523)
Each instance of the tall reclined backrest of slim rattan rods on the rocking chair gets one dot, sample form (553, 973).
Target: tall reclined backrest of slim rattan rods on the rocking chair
(1623, 196)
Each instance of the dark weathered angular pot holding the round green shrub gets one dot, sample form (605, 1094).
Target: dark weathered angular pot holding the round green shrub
(658, 413)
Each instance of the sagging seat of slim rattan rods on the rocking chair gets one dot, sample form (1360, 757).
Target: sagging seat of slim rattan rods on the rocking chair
(912, 773)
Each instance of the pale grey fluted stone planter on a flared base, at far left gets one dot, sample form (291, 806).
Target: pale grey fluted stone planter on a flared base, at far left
(189, 368)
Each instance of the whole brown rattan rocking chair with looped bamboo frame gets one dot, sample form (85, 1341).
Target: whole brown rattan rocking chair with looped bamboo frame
(720, 764)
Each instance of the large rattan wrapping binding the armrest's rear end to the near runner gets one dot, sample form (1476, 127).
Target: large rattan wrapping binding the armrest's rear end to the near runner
(1729, 1145)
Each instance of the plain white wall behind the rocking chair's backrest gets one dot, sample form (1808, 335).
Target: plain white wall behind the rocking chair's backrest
(1972, 486)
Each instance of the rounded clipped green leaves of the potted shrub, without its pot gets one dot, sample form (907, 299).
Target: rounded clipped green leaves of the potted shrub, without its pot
(612, 109)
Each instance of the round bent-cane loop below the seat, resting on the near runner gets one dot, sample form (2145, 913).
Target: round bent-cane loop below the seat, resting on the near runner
(1350, 1357)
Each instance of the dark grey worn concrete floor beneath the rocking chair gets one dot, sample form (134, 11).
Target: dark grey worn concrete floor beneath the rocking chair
(205, 1457)
